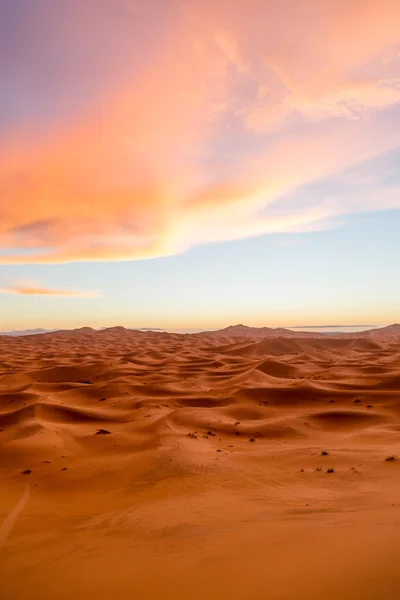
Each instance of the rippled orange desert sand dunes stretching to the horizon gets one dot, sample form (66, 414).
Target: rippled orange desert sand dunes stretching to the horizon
(162, 466)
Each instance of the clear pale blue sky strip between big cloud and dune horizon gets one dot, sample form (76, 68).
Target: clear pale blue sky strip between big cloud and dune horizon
(347, 275)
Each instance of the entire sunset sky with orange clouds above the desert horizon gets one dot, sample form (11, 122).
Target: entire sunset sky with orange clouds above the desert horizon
(190, 164)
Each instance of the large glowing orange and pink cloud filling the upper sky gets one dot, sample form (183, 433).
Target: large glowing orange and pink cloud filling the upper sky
(237, 108)
